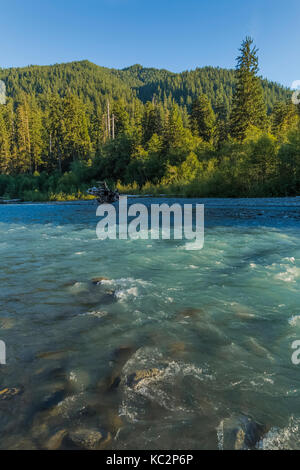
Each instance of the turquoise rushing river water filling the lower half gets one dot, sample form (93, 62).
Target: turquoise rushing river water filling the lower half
(217, 324)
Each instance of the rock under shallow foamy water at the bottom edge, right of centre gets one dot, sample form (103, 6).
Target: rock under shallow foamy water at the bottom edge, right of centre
(240, 433)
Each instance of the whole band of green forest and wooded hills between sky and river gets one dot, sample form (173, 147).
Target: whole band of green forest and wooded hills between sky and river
(204, 133)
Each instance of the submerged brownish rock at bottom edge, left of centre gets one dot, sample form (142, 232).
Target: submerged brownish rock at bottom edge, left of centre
(89, 439)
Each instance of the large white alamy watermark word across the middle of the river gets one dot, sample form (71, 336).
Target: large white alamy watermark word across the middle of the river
(158, 221)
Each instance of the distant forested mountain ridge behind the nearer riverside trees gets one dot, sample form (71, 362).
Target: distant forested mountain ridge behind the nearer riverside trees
(93, 83)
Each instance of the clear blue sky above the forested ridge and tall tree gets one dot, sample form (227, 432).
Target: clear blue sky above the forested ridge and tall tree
(173, 34)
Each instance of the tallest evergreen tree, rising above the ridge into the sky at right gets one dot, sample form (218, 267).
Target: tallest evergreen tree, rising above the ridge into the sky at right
(248, 108)
